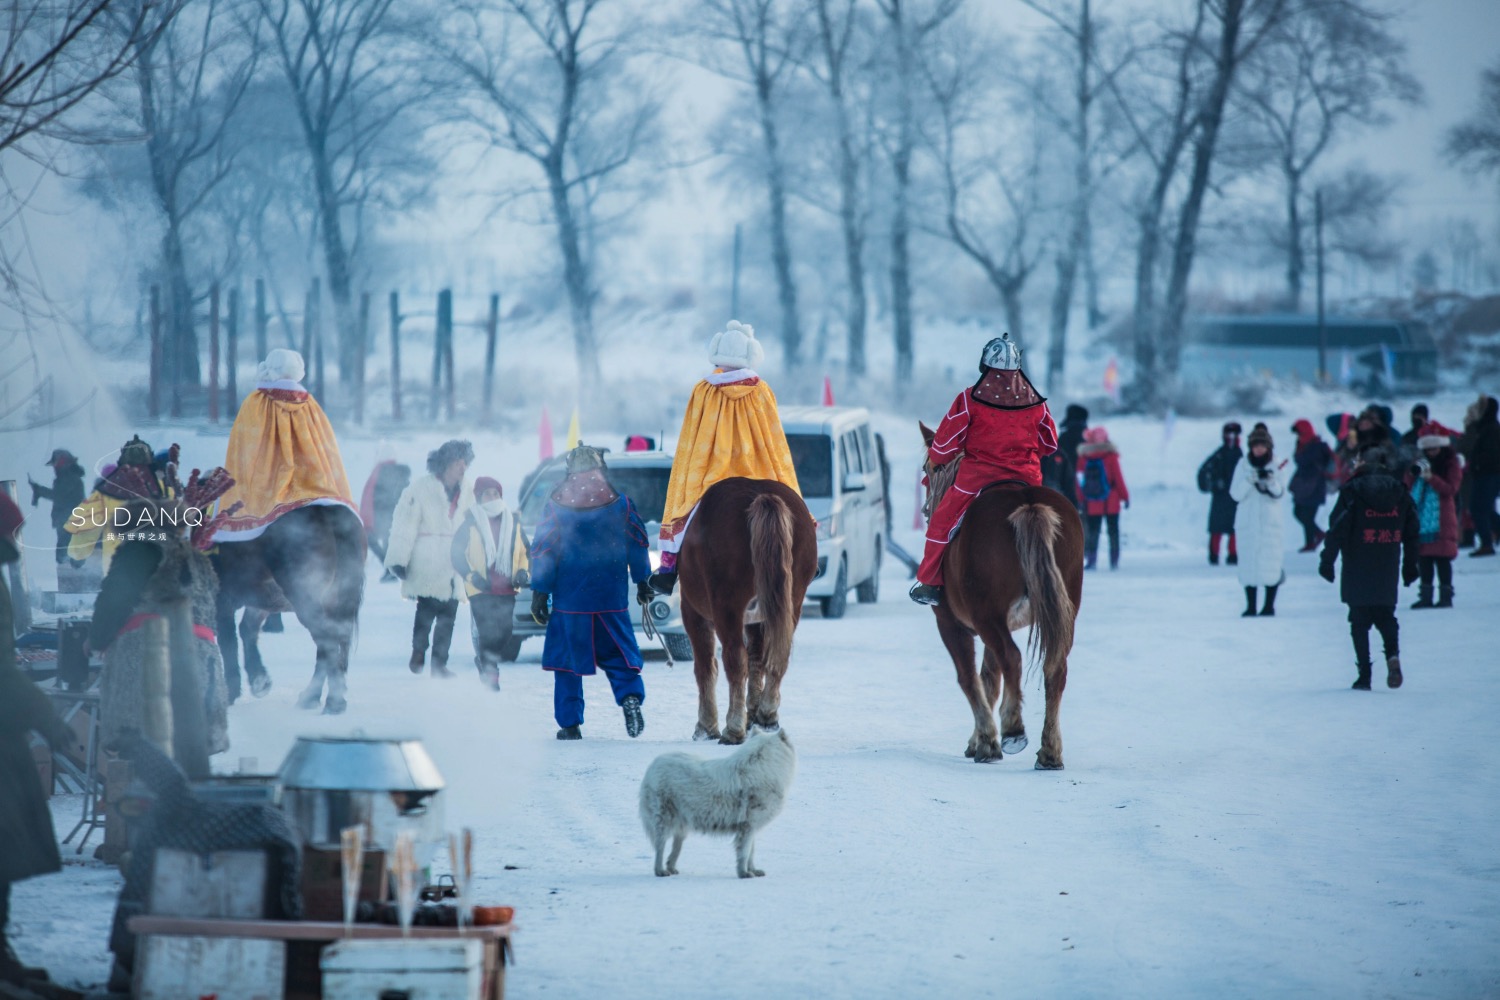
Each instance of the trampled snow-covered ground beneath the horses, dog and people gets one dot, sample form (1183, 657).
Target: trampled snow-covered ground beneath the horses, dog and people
(1234, 821)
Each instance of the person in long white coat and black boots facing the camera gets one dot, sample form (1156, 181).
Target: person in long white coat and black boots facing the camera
(1259, 521)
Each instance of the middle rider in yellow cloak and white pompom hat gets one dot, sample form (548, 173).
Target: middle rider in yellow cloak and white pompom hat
(731, 430)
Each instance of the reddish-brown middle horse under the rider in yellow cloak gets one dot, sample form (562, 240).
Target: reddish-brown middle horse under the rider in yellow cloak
(749, 540)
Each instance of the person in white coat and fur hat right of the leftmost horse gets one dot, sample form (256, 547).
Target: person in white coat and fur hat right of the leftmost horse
(428, 513)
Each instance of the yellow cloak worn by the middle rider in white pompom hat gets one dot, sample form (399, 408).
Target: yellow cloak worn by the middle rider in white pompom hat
(728, 431)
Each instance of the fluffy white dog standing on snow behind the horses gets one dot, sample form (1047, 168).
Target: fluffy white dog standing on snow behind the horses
(736, 795)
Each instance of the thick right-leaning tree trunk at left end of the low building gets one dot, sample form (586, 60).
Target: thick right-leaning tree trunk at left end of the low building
(1186, 248)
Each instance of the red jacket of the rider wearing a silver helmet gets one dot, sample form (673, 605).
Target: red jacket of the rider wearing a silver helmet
(997, 443)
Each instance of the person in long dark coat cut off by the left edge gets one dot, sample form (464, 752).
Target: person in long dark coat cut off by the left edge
(28, 843)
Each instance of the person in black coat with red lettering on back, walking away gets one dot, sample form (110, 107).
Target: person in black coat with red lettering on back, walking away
(1375, 527)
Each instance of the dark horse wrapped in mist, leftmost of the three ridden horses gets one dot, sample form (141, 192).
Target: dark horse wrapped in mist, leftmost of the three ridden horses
(311, 561)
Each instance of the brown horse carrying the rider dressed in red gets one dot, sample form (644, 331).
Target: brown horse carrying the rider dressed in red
(1016, 563)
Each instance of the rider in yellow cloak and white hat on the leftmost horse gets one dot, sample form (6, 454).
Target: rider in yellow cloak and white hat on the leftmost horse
(283, 452)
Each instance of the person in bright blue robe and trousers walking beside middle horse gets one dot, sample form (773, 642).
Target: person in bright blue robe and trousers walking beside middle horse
(587, 549)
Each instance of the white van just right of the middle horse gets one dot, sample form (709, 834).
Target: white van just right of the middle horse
(839, 469)
